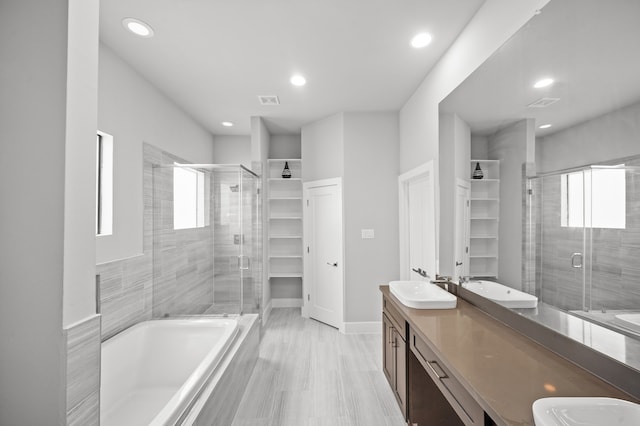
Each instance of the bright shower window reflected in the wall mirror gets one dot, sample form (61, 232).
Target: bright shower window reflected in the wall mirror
(594, 198)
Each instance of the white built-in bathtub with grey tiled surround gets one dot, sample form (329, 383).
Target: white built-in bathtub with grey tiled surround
(152, 372)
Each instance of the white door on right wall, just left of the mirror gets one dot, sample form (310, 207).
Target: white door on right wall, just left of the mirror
(417, 222)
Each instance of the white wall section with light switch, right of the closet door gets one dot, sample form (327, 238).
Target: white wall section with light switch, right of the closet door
(370, 202)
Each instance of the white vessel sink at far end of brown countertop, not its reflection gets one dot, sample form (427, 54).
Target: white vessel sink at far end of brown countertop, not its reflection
(422, 295)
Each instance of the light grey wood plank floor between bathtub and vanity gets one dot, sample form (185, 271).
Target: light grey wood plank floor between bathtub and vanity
(310, 374)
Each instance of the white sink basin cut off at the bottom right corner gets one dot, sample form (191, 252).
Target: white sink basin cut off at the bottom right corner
(585, 411)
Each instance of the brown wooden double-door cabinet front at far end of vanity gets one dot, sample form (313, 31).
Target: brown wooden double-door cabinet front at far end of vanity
(394, 354)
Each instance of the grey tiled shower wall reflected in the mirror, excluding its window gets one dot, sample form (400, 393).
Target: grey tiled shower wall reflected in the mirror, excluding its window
(615, 273)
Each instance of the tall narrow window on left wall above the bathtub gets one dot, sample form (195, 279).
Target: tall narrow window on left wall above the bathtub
(104, 184)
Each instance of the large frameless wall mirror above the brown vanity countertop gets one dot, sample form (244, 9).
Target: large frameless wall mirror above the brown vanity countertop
(566, 219)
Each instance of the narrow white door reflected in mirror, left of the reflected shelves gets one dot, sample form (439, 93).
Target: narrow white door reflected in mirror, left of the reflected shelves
(462, 222)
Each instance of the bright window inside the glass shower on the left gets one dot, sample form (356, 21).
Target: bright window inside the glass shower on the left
(188, 198)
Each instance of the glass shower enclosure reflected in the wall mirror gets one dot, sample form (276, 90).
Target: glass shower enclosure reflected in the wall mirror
(582, 245)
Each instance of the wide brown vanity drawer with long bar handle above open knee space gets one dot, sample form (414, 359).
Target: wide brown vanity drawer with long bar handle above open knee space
(461, 401)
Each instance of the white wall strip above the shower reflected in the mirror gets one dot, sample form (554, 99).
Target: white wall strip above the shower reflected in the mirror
(608, 137)
